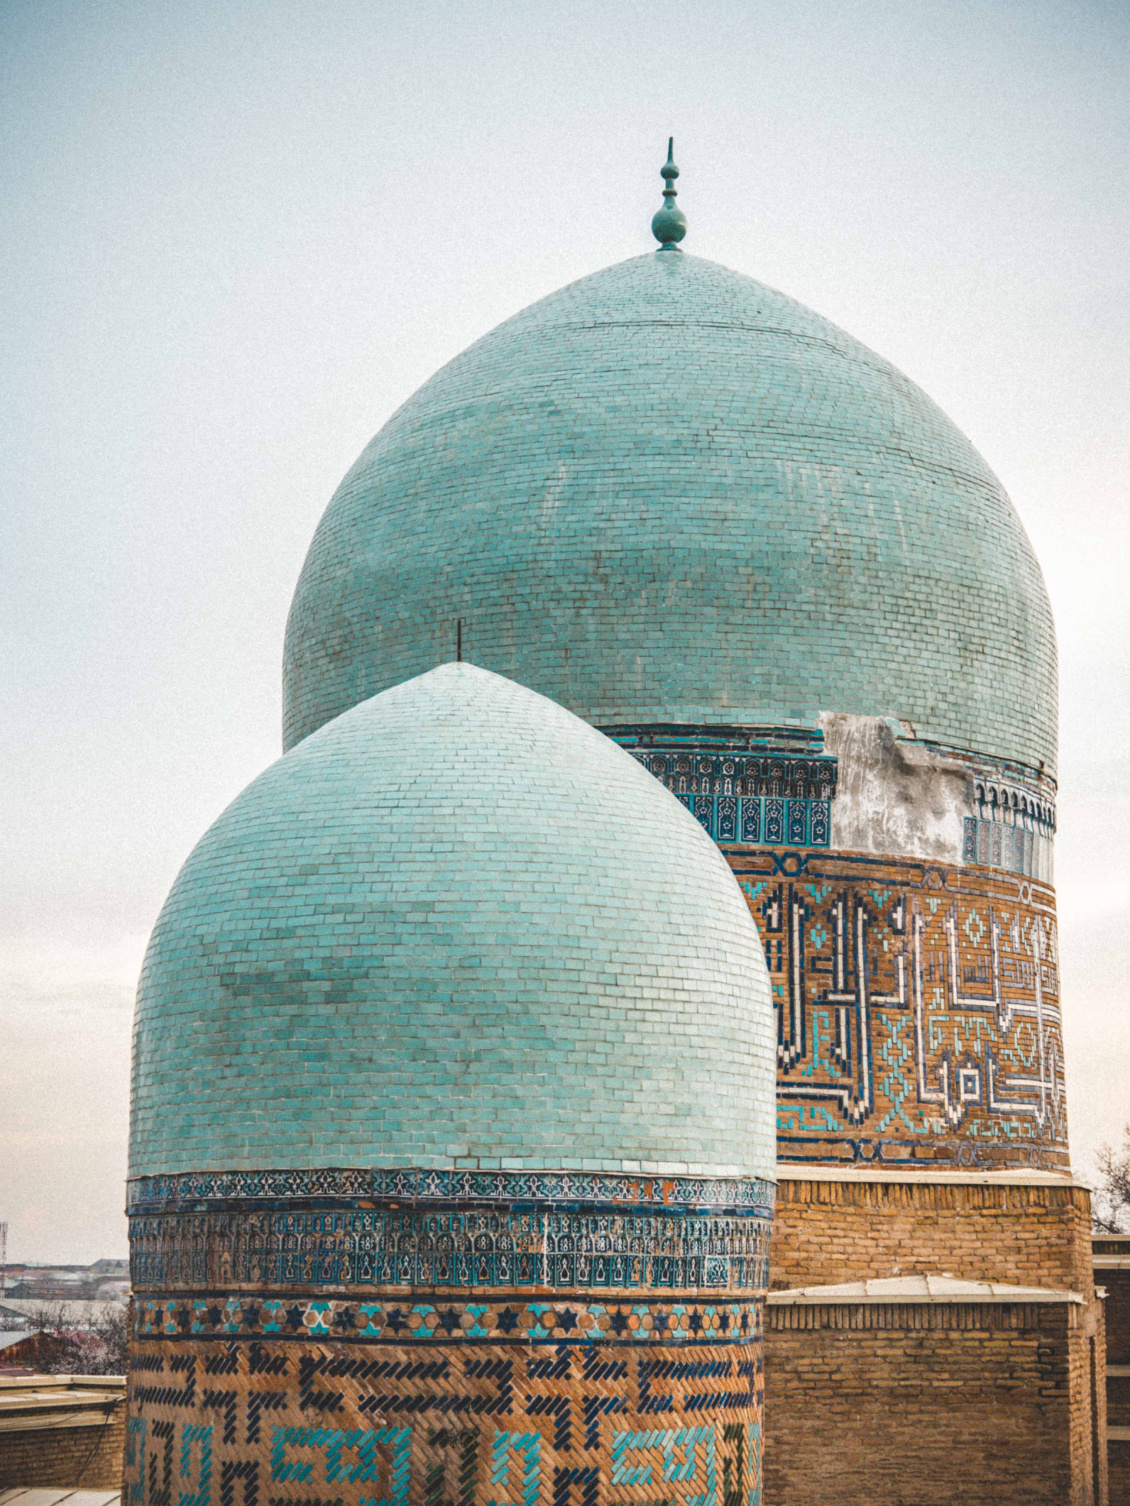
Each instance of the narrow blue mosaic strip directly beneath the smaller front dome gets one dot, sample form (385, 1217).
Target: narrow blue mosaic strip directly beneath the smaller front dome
(430, 1186)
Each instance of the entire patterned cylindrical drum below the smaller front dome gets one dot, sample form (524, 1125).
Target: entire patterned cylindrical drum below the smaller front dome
(626, 1362)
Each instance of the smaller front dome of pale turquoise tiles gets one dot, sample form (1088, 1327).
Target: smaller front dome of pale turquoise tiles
(457, 927)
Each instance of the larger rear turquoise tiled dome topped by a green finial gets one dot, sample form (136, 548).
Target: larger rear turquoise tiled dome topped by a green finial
(670, 495)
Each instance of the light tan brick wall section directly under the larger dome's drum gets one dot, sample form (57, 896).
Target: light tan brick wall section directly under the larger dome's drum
(852, 1231)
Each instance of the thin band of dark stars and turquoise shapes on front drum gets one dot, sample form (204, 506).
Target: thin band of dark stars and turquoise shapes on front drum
(402, 1322)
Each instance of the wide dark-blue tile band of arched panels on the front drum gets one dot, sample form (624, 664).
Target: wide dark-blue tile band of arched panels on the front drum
(453, 1248)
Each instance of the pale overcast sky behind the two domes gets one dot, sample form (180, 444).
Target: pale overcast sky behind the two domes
(236, 237)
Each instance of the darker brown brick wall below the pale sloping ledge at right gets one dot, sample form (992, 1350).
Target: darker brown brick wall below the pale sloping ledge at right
(929, 1406)
